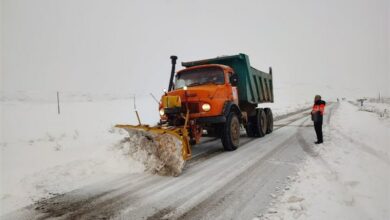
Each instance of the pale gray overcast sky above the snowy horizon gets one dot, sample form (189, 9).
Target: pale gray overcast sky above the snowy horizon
(334, 47)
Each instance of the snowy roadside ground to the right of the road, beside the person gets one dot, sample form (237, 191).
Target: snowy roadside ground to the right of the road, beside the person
(347, 177)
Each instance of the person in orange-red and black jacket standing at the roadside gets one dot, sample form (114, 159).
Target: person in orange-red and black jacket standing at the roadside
(317, 117)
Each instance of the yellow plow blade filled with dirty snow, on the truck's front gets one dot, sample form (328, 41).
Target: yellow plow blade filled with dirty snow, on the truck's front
(162, 150)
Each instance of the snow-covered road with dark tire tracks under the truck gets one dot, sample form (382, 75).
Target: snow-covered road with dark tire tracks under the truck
(214, 185)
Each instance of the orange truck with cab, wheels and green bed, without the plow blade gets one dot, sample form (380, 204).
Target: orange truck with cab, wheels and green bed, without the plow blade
(219, 96)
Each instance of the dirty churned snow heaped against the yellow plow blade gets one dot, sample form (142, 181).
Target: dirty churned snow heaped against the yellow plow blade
(159, 153)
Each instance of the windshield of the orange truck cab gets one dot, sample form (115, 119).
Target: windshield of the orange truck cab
(194, 77)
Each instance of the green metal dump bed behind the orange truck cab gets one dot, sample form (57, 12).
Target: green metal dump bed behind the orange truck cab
(254, 86)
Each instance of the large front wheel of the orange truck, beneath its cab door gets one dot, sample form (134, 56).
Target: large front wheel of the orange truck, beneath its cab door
(231, 132)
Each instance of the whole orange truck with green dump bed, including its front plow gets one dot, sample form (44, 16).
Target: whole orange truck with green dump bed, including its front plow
(213, 97)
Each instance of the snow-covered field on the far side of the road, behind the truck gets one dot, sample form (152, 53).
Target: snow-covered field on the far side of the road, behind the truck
(44, 153)
